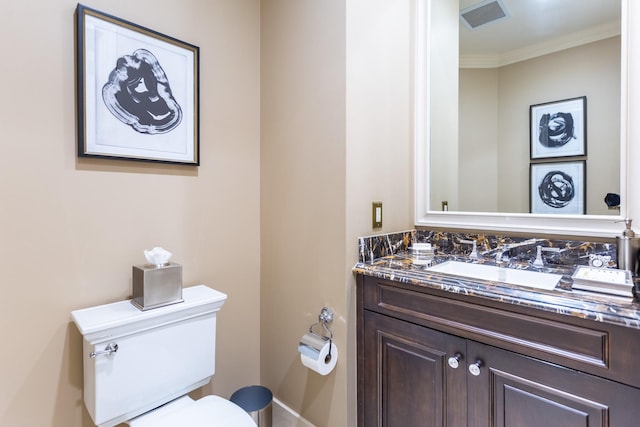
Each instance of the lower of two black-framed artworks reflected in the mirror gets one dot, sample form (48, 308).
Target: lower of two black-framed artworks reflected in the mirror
(558, 188)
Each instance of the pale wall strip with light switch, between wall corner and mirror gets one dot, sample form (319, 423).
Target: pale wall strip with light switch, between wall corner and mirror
(379, 135)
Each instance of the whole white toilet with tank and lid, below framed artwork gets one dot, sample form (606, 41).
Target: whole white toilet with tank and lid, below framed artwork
(140, 365)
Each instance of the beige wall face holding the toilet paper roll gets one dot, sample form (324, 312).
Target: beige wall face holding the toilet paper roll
(303, 198)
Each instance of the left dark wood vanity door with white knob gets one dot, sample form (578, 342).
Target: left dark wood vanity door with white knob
(410, 375)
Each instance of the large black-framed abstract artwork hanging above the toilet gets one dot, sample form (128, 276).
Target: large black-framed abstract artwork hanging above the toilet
(137, 92)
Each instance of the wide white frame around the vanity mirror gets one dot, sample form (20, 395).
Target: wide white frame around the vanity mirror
(581, 225)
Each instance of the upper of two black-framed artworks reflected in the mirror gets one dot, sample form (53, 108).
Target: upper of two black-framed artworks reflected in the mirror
(559, 128)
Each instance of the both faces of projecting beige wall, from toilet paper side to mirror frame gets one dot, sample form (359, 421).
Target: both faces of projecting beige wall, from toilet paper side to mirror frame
(336, 135)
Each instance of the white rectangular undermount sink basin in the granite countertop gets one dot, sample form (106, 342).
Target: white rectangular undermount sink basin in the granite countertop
(532, 279)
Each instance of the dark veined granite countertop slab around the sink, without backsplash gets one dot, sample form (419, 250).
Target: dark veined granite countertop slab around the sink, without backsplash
(562, 300)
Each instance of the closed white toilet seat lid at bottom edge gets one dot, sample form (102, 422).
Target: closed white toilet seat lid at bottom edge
(209, 411)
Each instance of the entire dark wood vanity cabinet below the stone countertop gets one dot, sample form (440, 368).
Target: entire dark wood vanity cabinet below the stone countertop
(429, 359)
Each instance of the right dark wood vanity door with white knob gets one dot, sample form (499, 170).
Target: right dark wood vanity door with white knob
(512, 390)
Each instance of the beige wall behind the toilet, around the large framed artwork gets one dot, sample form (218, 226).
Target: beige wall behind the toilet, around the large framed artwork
(71, 229)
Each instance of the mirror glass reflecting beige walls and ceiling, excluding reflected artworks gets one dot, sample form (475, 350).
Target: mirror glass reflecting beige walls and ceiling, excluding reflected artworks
(484, 81)
